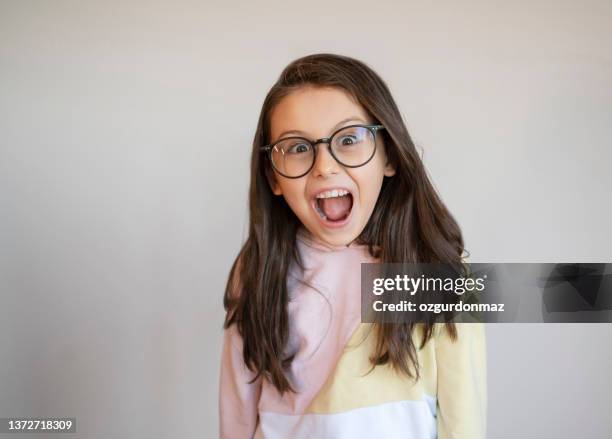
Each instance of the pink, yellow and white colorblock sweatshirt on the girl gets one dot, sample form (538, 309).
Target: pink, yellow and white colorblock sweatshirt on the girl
(336, 396)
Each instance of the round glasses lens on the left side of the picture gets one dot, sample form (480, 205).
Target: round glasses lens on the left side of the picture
(292, 156)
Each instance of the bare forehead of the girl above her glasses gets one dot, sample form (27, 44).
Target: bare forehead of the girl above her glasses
(314, 111)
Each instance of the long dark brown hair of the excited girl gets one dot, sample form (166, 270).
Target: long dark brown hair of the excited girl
(409, 224)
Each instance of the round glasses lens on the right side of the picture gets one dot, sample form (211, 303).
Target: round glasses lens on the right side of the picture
(353, 146)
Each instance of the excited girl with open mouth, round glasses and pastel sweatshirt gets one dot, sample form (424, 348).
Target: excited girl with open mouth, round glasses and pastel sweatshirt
(336, 182)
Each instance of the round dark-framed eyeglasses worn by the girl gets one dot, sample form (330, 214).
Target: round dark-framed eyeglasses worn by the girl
(351, 146)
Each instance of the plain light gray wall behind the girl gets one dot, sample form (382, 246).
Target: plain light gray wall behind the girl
(125, 131)
